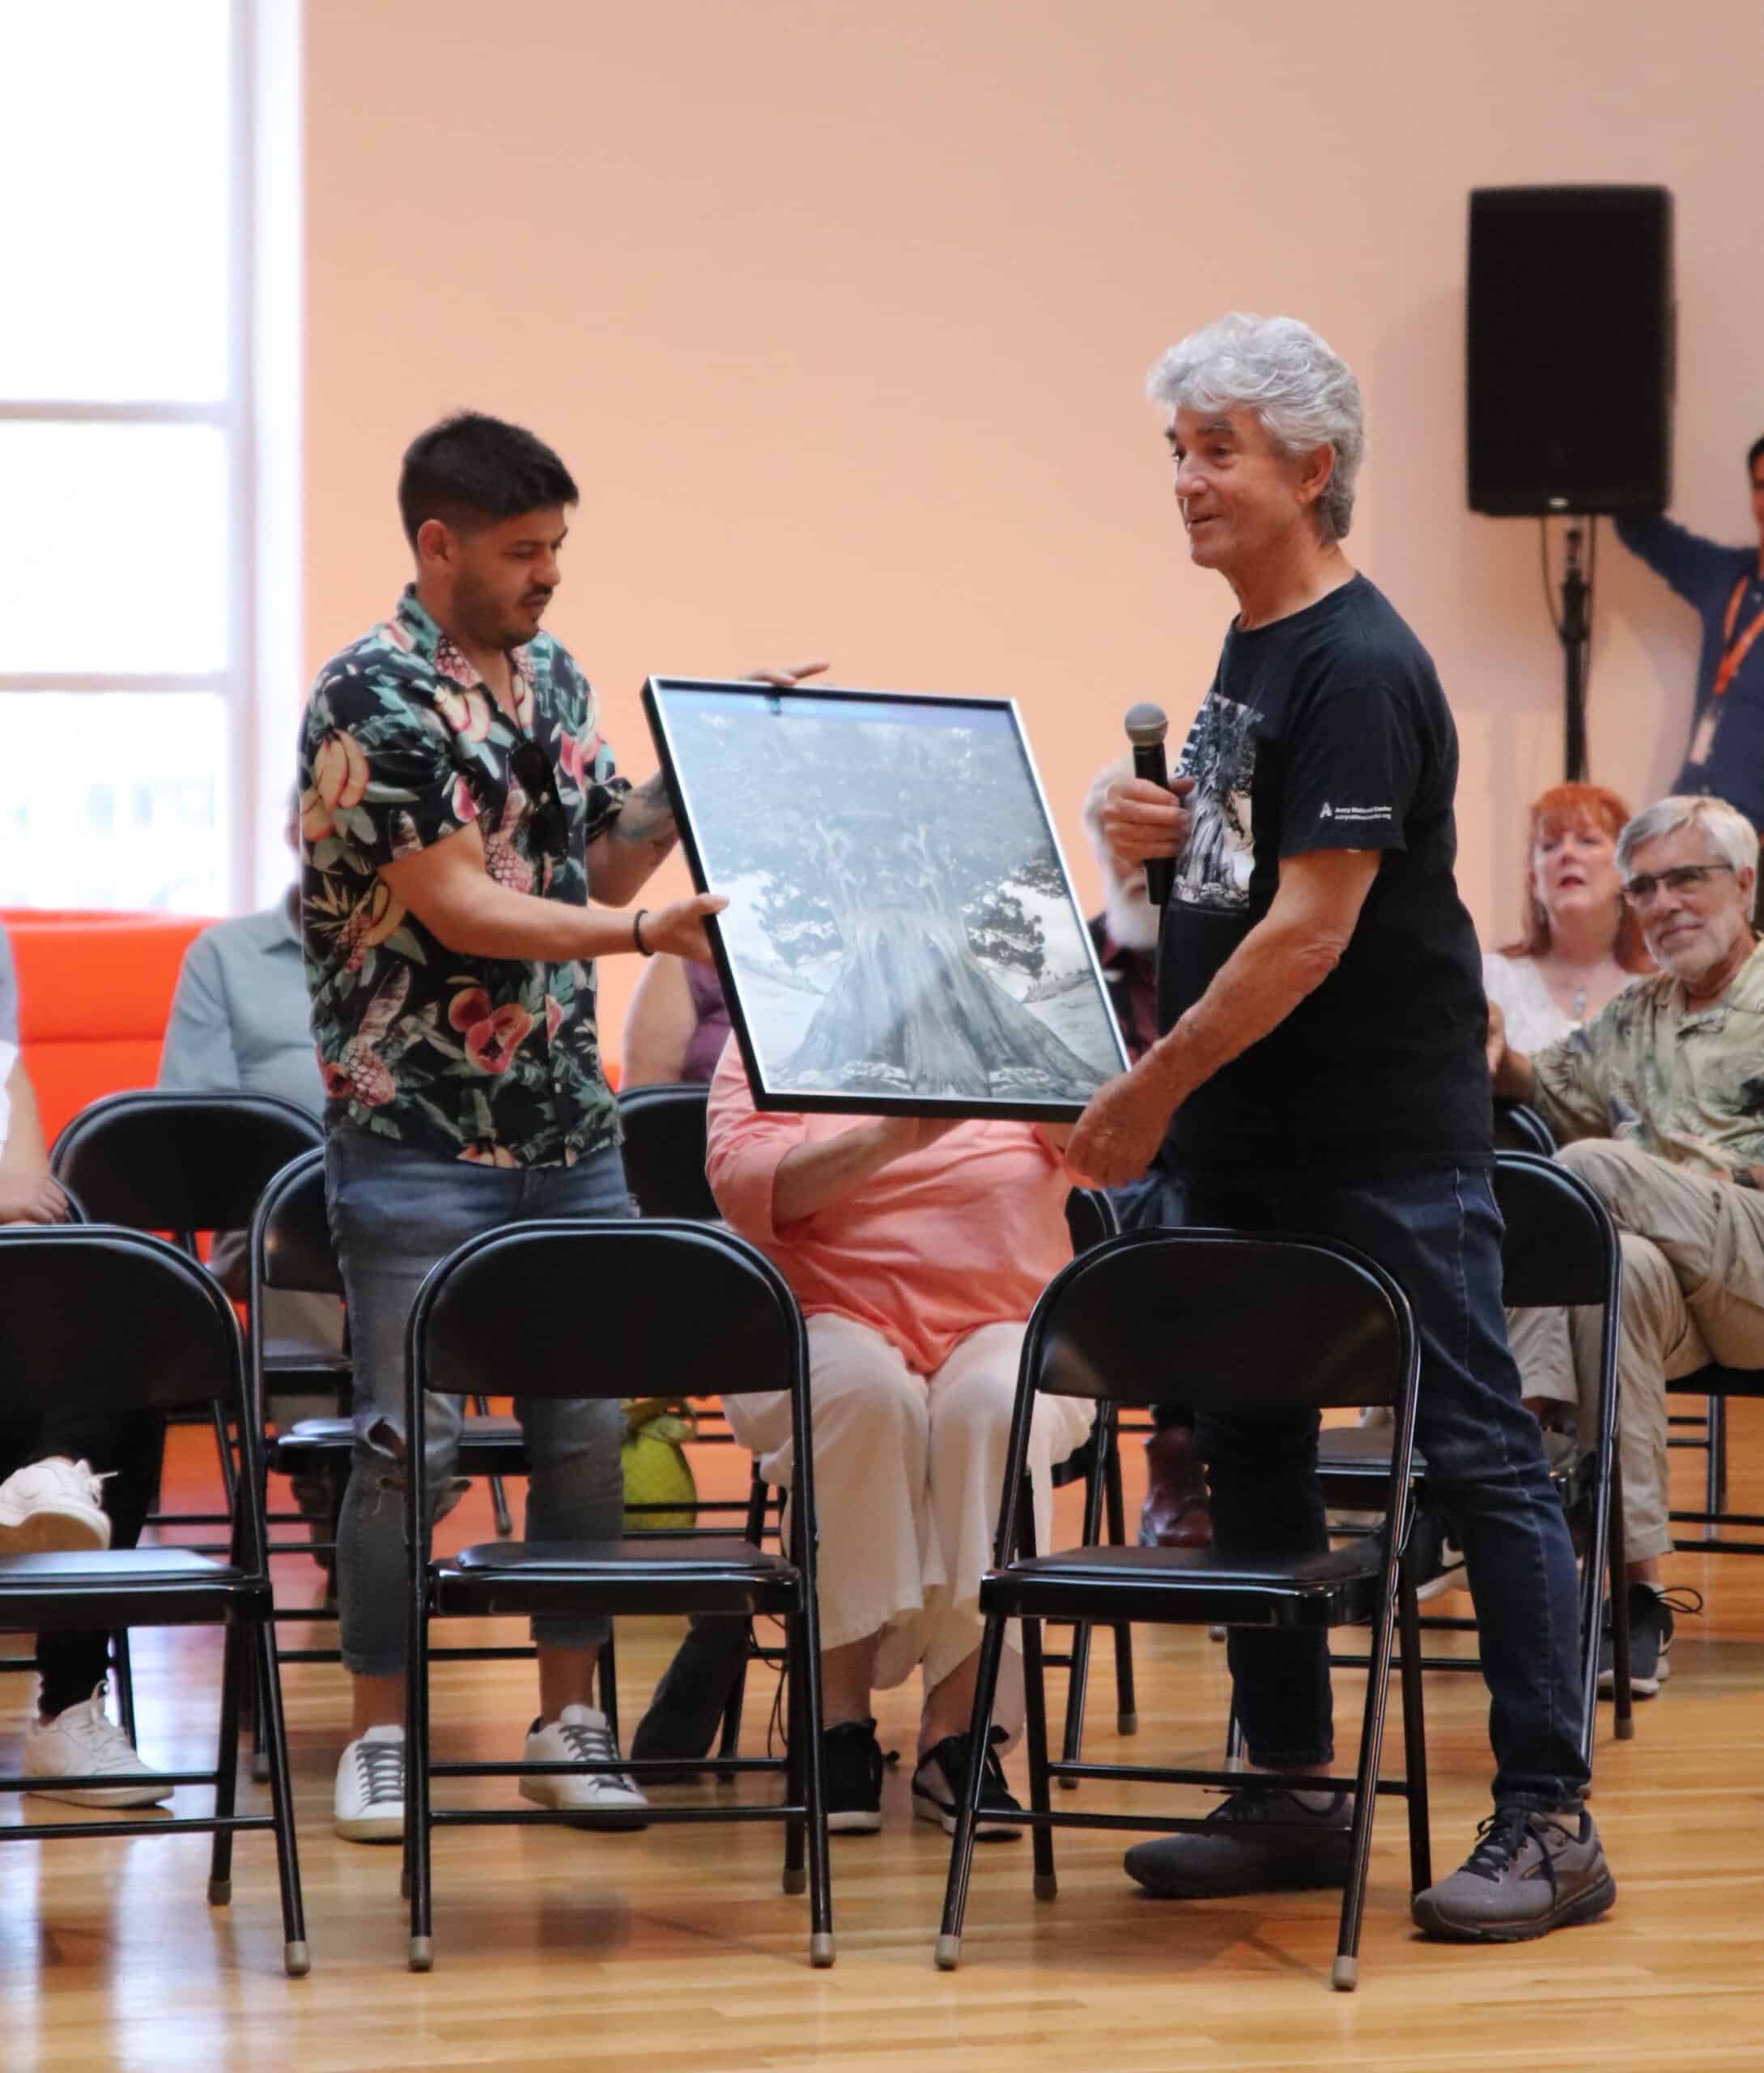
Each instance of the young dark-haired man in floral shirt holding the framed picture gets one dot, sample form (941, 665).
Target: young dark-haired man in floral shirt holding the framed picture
(459, 810)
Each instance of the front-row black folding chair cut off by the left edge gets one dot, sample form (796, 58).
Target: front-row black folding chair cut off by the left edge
(132, 1322)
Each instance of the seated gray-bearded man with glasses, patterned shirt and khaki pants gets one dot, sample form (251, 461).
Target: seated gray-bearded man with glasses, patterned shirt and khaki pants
(1663, 1102)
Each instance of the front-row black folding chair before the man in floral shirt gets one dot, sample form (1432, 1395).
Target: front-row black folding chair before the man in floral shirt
(503, 1305)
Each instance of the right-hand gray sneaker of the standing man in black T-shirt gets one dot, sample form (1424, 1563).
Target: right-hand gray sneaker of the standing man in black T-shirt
(1529, 1875)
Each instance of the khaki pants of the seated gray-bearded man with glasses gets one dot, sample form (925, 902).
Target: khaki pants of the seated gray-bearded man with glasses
(1692, 1295)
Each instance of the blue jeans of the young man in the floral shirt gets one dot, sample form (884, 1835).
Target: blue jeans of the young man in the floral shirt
(393, 1216)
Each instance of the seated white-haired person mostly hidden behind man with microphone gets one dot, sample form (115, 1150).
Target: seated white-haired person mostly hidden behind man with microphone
(1174, 1514)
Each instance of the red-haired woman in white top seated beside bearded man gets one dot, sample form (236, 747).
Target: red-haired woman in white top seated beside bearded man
(1583, 942)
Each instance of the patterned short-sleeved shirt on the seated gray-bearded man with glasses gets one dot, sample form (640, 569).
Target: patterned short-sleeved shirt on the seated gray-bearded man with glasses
(1649, 1071)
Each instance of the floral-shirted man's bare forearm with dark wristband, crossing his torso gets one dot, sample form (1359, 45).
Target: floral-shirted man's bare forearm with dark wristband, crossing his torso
(457, 901)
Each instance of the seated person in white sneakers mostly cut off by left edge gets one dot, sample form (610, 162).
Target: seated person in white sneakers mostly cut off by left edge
(76, 1479)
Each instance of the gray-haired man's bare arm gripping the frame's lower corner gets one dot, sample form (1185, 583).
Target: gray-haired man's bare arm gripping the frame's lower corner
(1284, 959)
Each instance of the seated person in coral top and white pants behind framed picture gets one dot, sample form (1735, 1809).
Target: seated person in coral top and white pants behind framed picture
(917, 1251)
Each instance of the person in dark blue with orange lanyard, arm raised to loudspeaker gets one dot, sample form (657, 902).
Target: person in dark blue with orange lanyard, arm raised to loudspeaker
(1726, 588)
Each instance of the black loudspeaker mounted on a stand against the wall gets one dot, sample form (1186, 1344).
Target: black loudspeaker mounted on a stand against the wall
(1570, 349)
